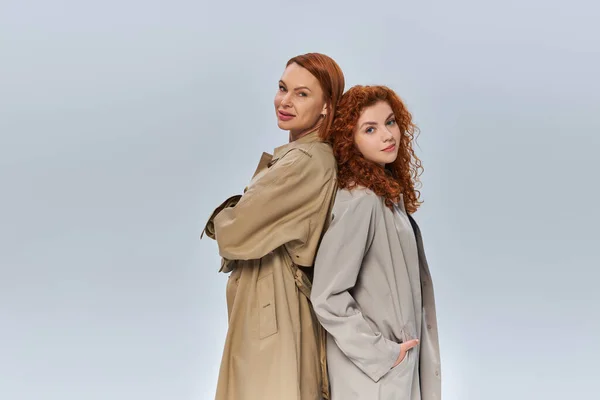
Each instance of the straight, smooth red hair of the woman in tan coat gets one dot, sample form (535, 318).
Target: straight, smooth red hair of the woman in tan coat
(330, 77)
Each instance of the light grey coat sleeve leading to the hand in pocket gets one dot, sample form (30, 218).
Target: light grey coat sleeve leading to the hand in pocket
(337, 266)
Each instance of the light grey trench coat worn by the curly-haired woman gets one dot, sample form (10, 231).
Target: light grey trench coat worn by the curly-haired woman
(369, 300)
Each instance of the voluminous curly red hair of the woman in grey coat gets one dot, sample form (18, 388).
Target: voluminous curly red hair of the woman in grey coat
(399, 177)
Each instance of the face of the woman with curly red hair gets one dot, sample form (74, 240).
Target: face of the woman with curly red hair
(377, 136)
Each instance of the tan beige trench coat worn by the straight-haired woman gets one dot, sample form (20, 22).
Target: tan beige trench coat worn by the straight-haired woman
(275, 347)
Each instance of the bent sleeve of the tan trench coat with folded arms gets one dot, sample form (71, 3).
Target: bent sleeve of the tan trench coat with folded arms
(275, 210)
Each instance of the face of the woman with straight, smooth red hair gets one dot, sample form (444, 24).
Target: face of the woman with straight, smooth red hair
(299, 102)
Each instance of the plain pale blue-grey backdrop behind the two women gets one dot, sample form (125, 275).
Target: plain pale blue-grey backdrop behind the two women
(124, 123)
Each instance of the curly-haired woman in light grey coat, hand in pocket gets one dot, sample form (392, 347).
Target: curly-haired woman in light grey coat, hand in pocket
(372, 289)
